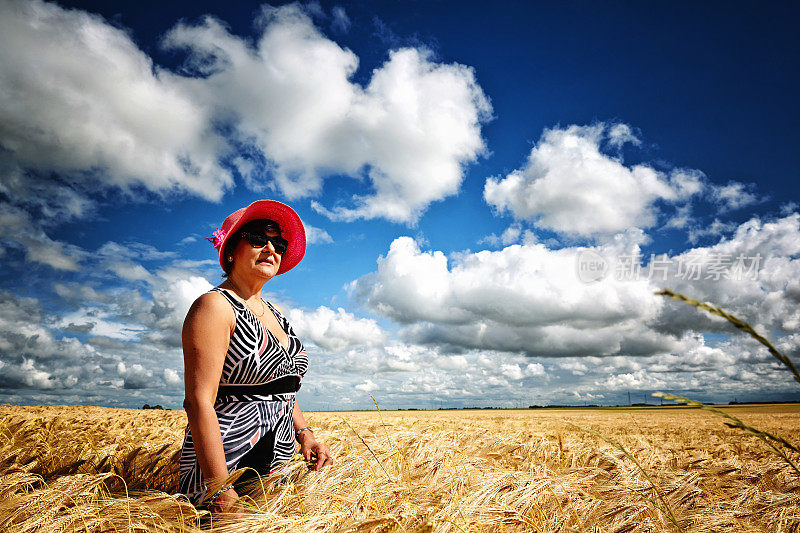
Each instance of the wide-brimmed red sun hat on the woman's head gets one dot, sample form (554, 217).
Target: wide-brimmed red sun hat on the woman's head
(291, 229)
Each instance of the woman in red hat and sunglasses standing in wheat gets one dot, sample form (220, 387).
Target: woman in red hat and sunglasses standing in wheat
(243, 363)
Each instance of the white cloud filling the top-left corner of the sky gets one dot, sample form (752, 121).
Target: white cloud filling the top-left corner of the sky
(78, 97)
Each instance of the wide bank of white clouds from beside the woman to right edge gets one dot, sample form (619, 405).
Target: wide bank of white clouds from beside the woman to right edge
(531, 299)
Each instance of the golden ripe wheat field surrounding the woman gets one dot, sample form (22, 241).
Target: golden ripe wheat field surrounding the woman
(98, 469)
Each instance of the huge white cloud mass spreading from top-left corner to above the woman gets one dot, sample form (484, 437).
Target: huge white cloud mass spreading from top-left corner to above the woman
(98, 111)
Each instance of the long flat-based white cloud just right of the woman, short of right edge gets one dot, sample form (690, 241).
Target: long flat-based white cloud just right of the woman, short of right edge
(525, 298)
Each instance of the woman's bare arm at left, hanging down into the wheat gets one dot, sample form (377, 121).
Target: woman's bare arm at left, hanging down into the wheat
(206, 334)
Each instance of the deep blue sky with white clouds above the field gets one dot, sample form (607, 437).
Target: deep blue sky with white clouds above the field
(456, 165)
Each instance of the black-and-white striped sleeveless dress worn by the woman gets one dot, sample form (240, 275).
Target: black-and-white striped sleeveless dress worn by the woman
(254, 356)
